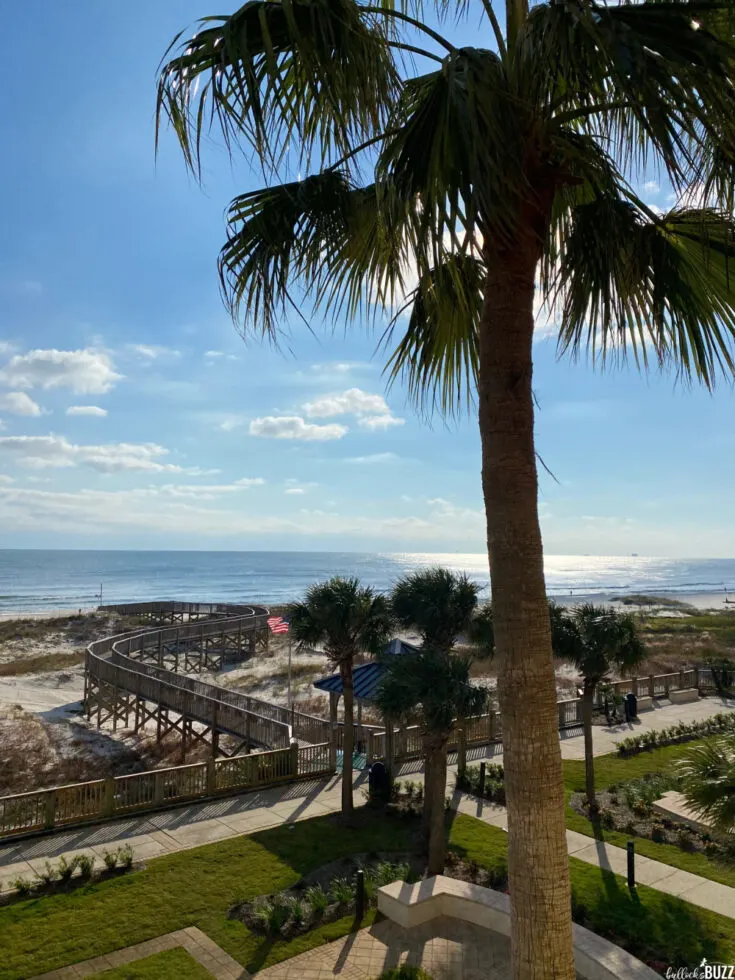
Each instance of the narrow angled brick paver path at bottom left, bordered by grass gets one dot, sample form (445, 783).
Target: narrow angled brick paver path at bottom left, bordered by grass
(194, 941)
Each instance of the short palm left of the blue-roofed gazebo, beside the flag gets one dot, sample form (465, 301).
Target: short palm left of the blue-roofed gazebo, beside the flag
(346, 619)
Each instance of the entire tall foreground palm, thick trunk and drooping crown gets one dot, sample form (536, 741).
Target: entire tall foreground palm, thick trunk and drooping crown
(478, 172)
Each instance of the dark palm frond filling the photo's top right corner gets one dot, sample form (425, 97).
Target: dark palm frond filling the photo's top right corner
(649, 77)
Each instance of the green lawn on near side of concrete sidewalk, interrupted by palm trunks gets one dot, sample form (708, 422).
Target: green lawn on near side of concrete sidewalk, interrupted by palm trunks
(198, 886)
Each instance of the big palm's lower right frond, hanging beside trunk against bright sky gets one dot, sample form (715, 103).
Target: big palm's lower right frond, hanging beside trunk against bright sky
(629, 280)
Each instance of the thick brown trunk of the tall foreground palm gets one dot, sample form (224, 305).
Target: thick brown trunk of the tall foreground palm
(541, 927)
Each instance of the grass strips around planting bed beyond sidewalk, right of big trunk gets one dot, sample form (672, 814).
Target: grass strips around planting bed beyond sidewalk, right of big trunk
(614, 769)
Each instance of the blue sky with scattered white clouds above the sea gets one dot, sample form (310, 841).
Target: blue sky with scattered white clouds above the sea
(109, 302)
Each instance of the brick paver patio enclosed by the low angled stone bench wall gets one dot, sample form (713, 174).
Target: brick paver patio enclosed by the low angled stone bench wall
(447, 949)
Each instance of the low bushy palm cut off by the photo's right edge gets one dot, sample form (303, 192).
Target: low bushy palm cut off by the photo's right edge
(708, 781)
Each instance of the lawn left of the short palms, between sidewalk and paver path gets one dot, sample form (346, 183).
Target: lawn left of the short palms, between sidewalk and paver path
(194, 887)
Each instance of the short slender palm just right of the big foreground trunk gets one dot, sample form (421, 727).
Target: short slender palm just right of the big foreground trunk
(597, 640)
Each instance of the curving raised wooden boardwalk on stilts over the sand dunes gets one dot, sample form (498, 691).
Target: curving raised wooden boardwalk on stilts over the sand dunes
(138, 678)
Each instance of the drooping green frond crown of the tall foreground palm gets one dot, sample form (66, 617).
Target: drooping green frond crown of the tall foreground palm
(545, 134)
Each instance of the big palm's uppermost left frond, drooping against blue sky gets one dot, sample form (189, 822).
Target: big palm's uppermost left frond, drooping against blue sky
(314, 74)
